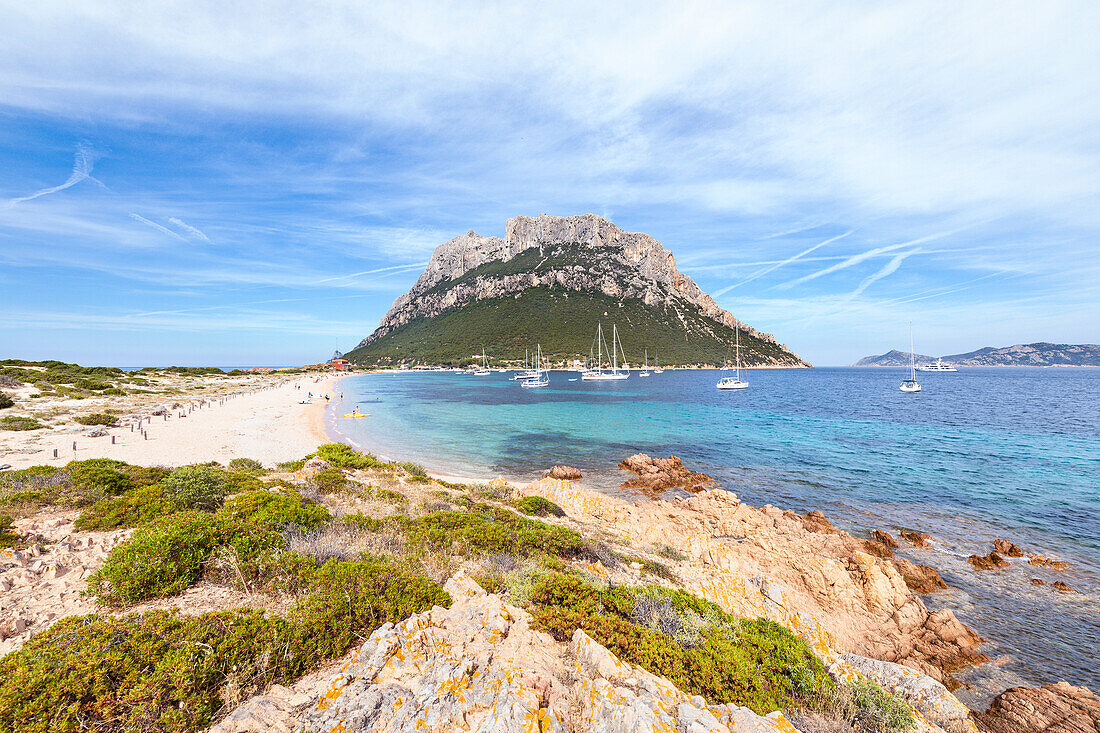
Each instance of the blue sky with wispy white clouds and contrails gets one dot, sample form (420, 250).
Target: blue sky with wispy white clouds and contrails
(238, 184)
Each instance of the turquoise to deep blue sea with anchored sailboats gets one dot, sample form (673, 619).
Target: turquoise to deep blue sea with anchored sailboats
(980, 454)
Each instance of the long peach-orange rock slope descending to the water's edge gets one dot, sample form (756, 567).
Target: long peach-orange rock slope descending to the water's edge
(834, 594)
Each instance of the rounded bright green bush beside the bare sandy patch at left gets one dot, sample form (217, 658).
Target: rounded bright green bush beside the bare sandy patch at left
(159, 561)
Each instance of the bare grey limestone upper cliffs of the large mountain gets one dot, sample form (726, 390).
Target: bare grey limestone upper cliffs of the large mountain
(604, 259)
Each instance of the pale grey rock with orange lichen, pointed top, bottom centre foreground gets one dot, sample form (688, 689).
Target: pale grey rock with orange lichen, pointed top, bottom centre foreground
(480, 666)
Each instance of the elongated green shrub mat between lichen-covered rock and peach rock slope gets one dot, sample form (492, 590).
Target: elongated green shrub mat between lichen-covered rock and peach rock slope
(694, 643)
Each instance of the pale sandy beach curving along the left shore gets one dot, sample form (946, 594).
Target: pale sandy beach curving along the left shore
(269, 426)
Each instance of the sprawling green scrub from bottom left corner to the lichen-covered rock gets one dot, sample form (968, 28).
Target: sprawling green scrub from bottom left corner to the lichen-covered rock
(167, 672)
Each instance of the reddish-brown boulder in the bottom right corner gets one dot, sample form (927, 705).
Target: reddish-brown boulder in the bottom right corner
(1059, 708)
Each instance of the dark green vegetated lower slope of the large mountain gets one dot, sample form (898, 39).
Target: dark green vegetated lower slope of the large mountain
(565, 323)
